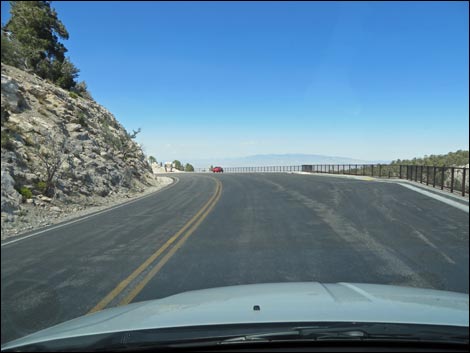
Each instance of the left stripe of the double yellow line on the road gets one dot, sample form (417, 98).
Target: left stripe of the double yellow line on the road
(123, 284)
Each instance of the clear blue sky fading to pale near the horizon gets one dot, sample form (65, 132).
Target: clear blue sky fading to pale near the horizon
(365, 80)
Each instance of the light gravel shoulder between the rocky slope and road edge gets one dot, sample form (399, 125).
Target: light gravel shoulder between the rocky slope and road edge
(45, 212)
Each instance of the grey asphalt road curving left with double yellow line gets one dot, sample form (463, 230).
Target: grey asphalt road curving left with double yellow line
(217, 230)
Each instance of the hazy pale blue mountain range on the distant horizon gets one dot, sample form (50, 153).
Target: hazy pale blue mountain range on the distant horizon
(278, 159)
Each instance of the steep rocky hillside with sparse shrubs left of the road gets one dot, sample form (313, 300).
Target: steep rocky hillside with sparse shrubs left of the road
(60, 149)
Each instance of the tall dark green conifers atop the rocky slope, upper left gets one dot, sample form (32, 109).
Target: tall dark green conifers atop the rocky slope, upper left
(30, 42)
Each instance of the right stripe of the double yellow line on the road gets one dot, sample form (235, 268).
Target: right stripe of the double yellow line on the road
(138, 288)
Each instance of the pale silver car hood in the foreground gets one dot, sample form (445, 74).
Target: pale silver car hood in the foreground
(278, 303)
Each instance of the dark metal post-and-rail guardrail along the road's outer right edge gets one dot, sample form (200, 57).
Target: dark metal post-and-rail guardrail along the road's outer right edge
(454, 179)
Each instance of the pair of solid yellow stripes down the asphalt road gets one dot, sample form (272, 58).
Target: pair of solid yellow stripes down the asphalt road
(188, 229)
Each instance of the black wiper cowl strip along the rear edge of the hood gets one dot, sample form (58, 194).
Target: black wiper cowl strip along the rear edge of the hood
(202, 337)
